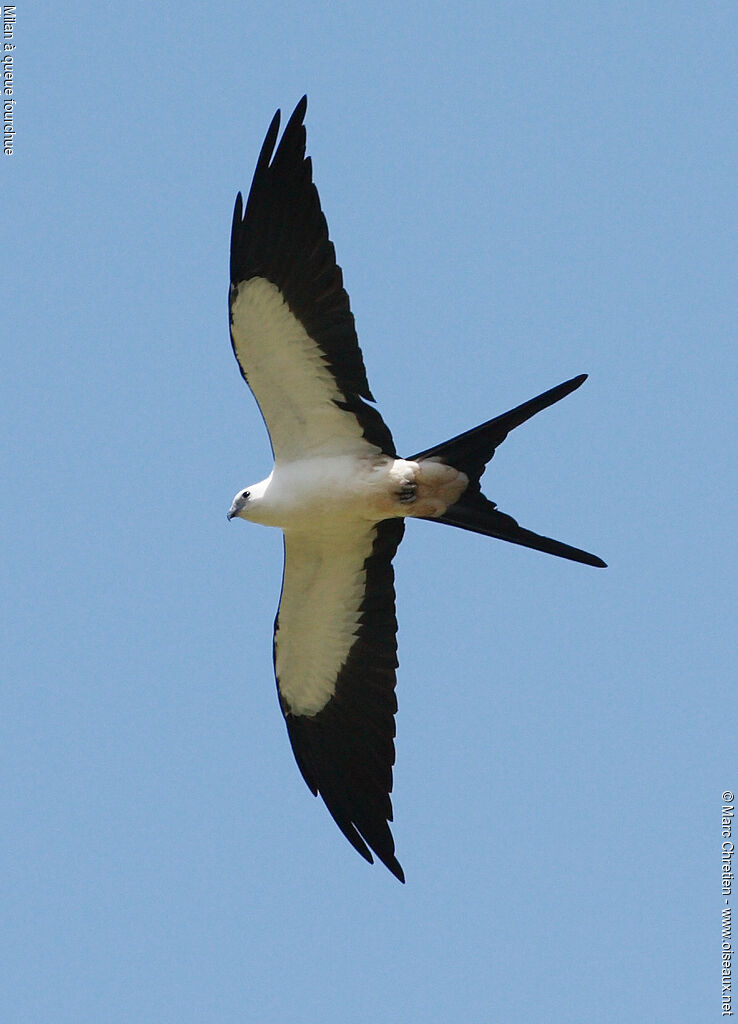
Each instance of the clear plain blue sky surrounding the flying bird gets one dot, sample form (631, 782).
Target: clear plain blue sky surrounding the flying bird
(517, 193)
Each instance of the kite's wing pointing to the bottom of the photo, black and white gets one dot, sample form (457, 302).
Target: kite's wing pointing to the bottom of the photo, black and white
(335, 661)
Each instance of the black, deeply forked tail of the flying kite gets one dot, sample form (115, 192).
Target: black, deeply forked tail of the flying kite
(472, 451)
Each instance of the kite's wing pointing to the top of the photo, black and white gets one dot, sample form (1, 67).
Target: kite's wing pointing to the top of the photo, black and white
(291, 325)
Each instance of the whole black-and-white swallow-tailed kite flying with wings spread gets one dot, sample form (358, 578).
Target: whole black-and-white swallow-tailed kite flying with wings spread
(339, 492)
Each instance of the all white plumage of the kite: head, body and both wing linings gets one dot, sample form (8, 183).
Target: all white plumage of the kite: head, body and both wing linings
(328, 490)
